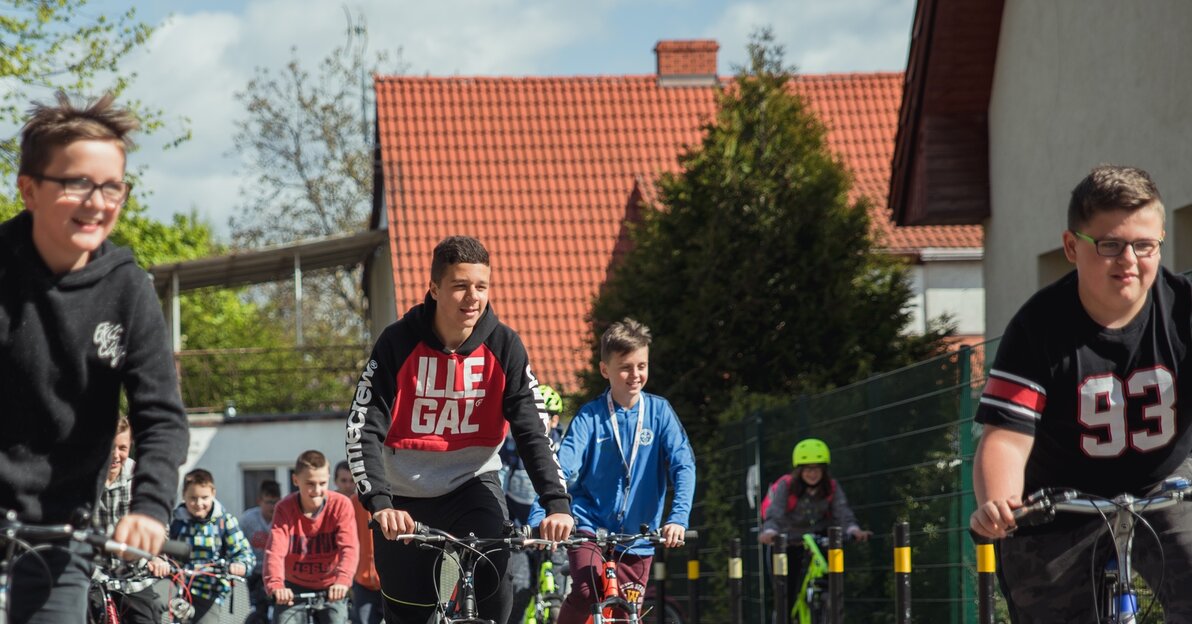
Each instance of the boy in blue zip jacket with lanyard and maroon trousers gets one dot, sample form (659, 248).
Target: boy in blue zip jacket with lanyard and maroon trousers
(618, 458)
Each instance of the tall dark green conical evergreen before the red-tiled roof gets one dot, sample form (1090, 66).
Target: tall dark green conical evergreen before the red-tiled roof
(756, 271)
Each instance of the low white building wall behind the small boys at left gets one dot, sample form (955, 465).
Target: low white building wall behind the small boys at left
(228, 449)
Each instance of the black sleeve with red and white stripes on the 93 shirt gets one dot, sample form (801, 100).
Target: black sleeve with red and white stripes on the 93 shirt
(1016, 390)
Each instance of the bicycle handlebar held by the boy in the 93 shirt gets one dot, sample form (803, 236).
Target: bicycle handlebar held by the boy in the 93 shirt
(1042, 505)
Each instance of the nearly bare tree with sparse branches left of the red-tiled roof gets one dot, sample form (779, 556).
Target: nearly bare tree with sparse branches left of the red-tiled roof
(308, 143)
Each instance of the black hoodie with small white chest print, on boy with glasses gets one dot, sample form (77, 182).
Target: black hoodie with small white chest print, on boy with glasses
(69, 344)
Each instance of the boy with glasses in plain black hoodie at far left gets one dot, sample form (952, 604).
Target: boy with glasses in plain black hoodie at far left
(79, 324)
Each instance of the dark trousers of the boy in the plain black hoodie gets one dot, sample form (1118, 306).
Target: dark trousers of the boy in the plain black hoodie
(54, 594)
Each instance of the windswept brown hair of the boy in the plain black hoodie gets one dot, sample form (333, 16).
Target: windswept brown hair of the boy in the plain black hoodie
(49, 128)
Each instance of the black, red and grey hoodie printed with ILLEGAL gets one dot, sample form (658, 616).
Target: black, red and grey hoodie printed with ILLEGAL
(425, 421)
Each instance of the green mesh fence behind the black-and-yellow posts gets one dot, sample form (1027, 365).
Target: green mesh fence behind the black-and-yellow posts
(903, 447)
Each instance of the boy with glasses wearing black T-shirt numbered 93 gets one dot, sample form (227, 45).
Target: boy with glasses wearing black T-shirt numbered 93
(1083, 394)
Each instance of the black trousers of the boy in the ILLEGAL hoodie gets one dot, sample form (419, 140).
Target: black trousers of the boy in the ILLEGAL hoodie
(411, 577)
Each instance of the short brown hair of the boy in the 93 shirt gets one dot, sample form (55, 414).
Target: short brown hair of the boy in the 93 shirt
(1113, 188)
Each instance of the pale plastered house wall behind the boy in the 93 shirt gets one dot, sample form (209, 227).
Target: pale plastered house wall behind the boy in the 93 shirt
(1079, 83)
